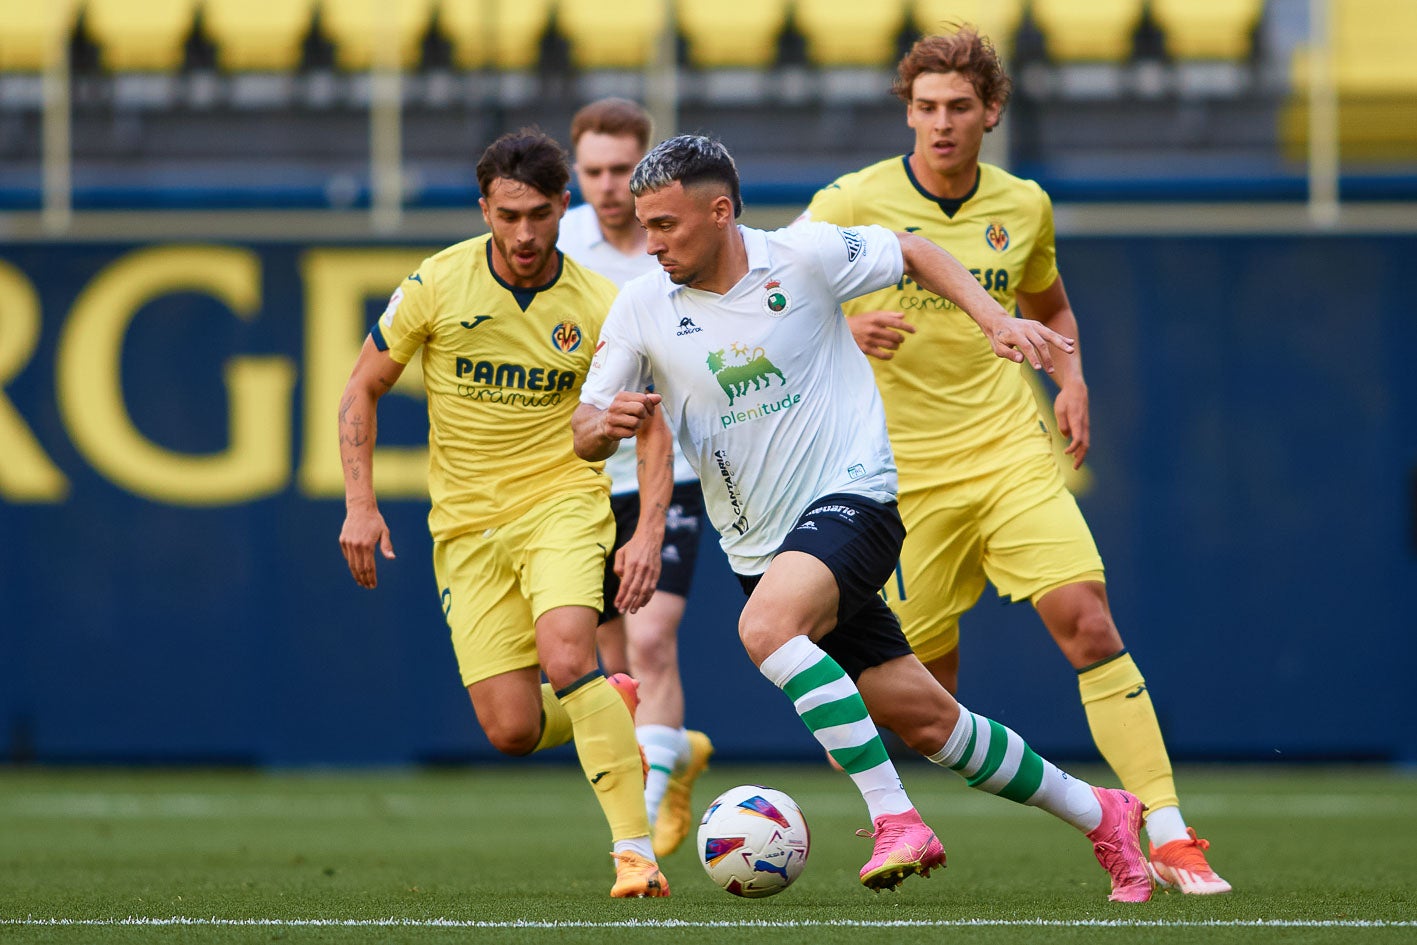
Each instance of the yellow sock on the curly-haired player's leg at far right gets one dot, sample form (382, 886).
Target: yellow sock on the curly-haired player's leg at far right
(1124, 728)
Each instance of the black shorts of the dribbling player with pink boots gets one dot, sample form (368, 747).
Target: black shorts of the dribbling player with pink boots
(859, 542)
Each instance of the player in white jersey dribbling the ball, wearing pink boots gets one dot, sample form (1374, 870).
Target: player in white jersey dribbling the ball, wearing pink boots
(779, 412)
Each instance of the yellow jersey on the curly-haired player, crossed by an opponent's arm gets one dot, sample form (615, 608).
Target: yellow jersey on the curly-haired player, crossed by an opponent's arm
(947, 396)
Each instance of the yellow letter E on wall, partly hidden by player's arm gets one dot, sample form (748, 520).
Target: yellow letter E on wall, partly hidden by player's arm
(338, 284)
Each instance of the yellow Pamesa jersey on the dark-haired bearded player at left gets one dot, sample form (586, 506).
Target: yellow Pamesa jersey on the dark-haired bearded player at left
(504, 370)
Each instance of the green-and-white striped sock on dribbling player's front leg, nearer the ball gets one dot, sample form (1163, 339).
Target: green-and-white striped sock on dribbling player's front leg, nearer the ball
(831, 708)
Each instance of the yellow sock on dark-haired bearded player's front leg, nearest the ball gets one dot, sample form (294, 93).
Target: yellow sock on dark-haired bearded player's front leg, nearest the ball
(609, 753)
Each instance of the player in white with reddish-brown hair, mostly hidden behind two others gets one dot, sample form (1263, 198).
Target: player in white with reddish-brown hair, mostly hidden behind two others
(609, 137)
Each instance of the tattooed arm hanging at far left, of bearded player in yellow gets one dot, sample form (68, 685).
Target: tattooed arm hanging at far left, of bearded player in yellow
(365, 529)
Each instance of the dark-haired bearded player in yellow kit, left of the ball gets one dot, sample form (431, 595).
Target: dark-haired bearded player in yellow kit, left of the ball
(521, 525)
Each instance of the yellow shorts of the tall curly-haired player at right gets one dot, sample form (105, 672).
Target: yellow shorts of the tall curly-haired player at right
(1017, 526)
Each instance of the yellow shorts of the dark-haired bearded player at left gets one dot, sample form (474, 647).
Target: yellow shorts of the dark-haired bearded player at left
(498, 583)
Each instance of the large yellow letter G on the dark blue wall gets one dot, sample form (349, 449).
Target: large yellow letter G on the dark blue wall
(257, 460)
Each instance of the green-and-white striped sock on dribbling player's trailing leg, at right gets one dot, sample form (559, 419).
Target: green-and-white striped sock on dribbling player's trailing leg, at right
(995, 760)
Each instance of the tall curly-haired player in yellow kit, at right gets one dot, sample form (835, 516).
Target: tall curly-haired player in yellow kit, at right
(981, 494)
